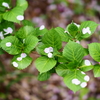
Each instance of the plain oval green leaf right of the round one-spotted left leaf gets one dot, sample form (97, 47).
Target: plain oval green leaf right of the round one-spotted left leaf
(30, 43)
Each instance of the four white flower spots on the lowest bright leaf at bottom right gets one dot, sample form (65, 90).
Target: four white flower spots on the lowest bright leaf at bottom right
(78, 82)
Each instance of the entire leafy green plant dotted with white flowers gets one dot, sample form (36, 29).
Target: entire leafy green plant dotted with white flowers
(67, 63)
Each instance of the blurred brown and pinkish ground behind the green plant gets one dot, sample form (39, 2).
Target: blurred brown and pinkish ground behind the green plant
(23, 85)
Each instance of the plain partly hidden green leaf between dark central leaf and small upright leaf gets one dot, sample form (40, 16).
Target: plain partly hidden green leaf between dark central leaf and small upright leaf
(63, 35)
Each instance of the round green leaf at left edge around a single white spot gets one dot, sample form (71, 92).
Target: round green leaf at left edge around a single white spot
(15, 45)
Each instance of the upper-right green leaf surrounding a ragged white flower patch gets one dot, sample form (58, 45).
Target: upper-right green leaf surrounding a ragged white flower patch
(92, 25)
